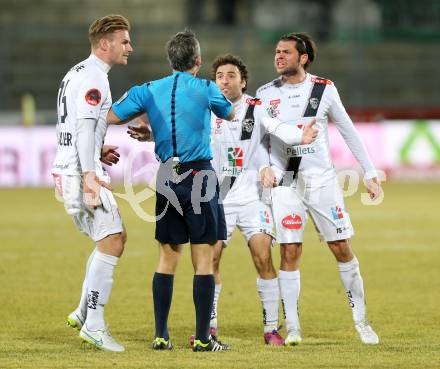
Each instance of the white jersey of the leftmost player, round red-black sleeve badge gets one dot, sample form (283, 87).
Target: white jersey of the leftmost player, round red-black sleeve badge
(84, 94)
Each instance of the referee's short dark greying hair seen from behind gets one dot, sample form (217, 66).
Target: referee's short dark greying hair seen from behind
(182, 50)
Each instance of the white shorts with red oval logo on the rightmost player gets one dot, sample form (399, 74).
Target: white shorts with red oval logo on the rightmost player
(325, 205)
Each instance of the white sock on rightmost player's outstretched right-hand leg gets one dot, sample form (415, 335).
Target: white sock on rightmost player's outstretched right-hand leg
(354, 287)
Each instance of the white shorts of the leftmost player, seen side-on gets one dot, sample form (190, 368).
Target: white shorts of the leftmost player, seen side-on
(96, 223)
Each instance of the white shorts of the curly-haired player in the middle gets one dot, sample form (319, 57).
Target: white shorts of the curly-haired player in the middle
(253, 218)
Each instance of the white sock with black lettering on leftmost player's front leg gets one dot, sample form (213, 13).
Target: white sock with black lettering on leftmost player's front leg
(100, 281)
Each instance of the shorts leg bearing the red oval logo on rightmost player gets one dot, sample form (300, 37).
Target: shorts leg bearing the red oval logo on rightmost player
(290, 216)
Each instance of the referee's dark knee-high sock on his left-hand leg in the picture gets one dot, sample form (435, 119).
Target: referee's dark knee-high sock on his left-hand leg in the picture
(162, 296)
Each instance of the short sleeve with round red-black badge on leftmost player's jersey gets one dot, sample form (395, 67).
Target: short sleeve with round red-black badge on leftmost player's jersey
(91, 95)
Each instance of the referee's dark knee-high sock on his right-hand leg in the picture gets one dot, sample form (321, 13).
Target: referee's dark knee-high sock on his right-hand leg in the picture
(203, 295)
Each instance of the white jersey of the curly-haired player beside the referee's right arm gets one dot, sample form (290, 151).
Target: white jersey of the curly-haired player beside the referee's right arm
(237, 150)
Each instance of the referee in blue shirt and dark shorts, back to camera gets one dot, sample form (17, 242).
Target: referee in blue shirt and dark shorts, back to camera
(179, 109)
